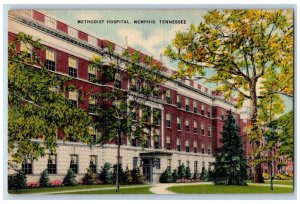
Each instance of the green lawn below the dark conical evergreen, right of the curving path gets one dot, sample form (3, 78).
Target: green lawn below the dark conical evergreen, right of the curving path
(212, 189)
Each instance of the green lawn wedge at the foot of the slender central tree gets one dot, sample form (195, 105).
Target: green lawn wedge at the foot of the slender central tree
(140, 190)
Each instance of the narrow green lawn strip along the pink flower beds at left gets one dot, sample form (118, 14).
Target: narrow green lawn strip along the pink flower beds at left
(53, 189)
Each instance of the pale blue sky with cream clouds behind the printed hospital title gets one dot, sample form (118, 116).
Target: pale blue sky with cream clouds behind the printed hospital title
(150, 39)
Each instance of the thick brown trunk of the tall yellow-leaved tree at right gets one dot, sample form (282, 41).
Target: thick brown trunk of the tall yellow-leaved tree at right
(258, 178)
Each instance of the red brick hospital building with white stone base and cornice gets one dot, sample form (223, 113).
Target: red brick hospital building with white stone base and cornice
(192, 115)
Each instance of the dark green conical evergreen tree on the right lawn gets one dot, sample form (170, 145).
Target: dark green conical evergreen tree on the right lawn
(230, 167)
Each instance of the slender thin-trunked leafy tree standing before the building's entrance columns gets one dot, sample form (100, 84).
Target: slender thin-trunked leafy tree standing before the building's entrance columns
(117, 114)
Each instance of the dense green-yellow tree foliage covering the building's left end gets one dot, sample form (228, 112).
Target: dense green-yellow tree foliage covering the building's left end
(37, 105)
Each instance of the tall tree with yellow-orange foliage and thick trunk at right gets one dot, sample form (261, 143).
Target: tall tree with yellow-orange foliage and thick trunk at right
(247, 51)
